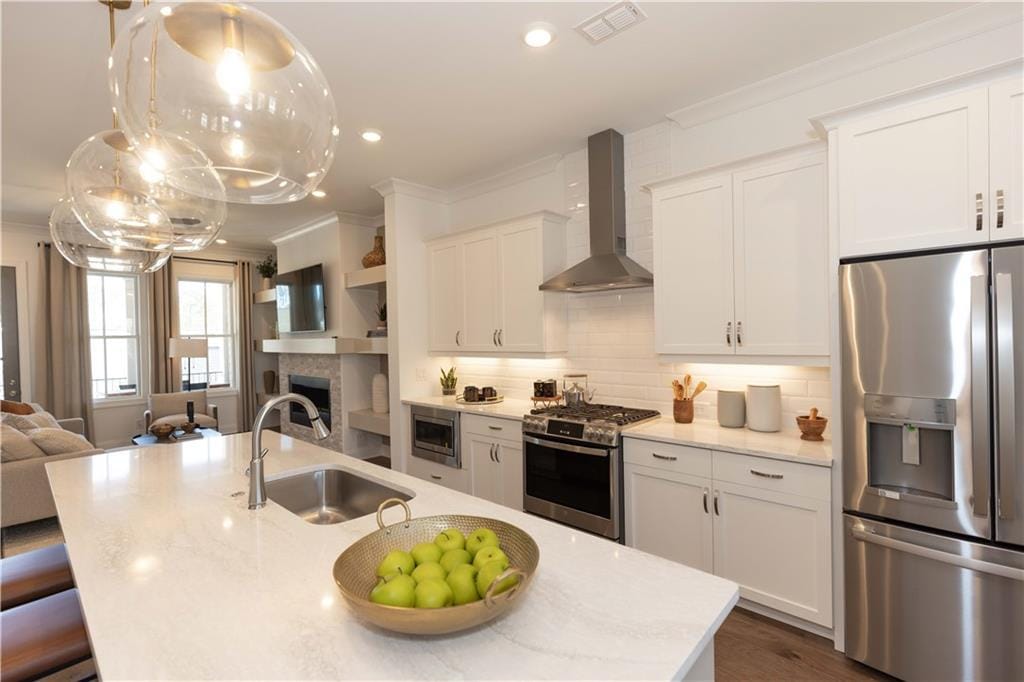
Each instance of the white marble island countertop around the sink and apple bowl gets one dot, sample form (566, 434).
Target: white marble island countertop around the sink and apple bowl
(179, 580)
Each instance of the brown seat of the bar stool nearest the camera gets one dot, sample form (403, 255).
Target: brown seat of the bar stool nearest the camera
(42, 636)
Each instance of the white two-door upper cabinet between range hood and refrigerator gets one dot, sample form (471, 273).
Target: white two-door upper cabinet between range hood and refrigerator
(741, 261)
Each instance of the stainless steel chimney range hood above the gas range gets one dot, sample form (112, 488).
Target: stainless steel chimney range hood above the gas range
(608, 268)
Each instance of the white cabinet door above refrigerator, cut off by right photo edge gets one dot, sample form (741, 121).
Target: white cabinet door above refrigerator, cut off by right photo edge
(1006, 116)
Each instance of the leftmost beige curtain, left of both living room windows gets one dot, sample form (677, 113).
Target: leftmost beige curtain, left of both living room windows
(63, 380)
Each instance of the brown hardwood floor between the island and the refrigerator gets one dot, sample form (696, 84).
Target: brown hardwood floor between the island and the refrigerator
(750, 647)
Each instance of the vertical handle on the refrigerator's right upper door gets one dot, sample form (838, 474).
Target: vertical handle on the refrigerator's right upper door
(1006, 389)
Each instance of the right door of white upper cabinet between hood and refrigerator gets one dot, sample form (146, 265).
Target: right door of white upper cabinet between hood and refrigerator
(782, 258)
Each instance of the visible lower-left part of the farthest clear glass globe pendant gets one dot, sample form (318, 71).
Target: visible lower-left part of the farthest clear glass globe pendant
(80, 248)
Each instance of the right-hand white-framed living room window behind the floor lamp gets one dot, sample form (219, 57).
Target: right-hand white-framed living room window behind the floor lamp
(206, 311)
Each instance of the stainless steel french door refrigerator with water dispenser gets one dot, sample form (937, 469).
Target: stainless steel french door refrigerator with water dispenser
(933, 463)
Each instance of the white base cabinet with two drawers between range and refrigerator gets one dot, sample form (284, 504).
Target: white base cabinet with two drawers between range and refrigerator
(773, 538)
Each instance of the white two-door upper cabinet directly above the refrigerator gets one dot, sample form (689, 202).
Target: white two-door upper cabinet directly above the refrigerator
(935, 173)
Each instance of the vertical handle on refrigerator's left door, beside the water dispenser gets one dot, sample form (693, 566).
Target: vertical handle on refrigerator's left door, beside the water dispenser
(979, 394)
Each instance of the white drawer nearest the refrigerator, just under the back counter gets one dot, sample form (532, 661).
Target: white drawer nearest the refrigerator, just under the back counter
(804, 480)
